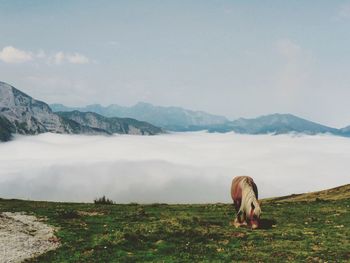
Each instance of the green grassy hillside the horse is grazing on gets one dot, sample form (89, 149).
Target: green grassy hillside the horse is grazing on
(294, 229)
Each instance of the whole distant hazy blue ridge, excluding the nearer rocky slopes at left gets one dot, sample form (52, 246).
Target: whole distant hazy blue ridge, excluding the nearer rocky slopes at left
(178, 119)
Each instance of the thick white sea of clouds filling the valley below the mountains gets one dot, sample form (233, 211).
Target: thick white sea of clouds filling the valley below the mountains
(172, 168)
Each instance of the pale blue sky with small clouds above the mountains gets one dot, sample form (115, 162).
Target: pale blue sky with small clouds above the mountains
(232, 58)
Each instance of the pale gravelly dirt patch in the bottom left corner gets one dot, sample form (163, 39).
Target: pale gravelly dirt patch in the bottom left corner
(24, 236)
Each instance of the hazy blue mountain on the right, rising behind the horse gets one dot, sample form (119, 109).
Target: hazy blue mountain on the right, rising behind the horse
(277, 124)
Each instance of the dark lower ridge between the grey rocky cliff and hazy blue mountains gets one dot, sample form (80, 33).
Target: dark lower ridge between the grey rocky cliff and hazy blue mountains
(111, 125)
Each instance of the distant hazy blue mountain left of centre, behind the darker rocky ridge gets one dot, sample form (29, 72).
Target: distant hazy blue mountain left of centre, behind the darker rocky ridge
(169, 118)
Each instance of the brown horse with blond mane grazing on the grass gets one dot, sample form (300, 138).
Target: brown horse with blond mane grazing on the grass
(244, 194)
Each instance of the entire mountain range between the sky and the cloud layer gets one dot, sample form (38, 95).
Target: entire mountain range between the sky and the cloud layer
(20, 113)
